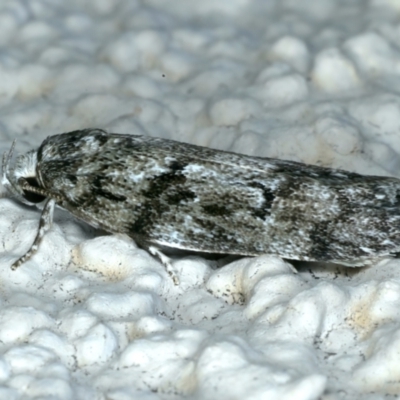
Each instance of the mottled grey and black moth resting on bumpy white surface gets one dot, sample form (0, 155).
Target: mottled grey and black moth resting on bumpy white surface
(170, 195)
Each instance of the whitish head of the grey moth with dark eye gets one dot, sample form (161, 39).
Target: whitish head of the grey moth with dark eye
(21, 179)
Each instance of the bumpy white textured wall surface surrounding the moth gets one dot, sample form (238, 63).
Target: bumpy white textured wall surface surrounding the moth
(97, 318)
